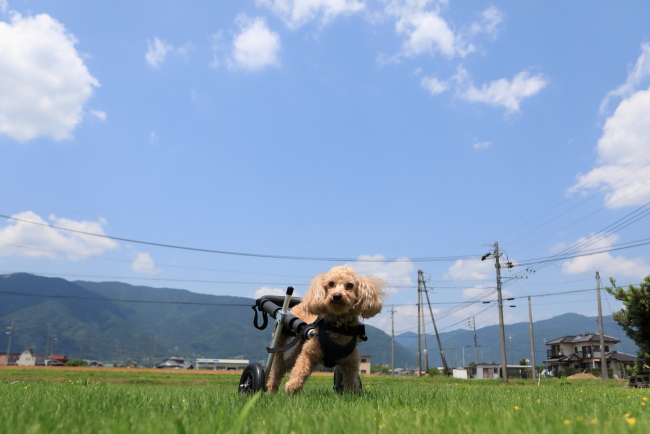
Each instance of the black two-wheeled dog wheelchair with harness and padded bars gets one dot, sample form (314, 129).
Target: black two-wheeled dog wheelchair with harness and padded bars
(254, 377)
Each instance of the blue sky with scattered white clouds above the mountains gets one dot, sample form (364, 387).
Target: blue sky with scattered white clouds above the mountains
(327, 128)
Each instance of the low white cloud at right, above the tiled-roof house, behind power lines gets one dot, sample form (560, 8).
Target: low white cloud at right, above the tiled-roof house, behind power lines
(605, 263)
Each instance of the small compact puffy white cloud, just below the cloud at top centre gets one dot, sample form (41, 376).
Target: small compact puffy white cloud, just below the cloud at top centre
(255, 47)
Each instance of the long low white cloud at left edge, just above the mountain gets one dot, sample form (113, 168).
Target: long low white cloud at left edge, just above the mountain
(46, 238)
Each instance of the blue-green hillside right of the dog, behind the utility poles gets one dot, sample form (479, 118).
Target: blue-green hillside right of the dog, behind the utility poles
(488, 339)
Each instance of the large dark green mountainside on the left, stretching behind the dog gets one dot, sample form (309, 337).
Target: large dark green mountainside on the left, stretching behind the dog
(113, 329)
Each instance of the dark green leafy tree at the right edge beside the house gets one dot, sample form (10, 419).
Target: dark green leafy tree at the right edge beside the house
(634, 318)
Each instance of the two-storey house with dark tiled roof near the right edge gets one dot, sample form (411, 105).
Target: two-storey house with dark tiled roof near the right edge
(583, 352)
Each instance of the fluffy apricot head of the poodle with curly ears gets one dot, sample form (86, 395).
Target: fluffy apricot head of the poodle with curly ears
(341, 293)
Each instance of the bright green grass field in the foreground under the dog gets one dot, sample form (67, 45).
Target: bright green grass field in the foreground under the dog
(82, 401)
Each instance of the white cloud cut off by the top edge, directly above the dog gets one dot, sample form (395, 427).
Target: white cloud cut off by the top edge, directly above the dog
(296, 13)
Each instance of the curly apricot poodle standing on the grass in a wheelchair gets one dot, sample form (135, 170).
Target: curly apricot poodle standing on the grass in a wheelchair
(339, 297)
